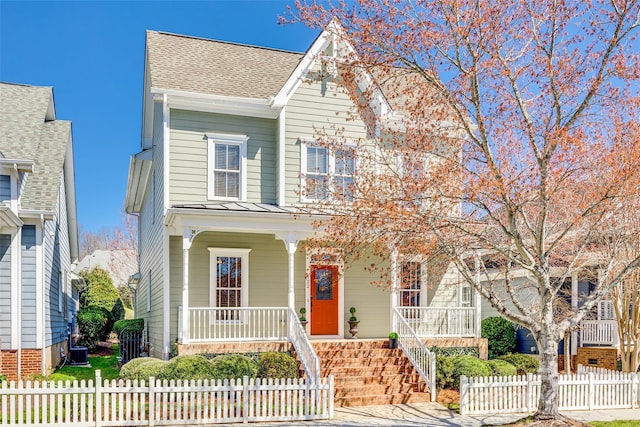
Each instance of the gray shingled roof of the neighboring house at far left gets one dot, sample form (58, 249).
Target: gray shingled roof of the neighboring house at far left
(29, 131)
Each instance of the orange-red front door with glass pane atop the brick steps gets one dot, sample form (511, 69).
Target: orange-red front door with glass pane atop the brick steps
(324, 299)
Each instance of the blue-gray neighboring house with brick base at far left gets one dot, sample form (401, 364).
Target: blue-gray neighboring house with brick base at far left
(38, 231)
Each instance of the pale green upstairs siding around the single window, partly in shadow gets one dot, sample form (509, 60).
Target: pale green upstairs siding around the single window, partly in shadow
(189, 158)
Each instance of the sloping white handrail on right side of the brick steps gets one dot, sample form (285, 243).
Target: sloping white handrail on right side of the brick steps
(423, 360)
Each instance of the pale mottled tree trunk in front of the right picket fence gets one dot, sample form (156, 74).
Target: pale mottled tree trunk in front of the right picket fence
(548, 403)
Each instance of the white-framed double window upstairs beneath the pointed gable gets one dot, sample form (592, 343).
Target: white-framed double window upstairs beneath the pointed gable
(326, 172)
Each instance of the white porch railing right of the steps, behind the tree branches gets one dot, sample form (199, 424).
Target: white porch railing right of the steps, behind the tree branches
(441, 321)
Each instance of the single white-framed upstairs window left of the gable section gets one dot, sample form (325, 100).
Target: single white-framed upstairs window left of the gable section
(227, 166)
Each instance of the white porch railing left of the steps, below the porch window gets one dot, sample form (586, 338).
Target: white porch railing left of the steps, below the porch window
(207, 324)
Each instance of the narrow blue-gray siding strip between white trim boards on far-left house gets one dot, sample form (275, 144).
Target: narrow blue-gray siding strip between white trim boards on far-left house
(28, 291)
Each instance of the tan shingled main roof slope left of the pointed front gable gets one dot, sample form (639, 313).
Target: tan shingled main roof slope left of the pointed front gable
(213, 67)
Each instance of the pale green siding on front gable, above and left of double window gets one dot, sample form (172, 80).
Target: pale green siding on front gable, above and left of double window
(315, 107)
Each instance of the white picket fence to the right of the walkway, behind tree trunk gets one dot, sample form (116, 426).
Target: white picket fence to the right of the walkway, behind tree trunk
(602, 390)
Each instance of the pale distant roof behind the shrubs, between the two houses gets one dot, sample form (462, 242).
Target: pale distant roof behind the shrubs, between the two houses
(120, 264)
